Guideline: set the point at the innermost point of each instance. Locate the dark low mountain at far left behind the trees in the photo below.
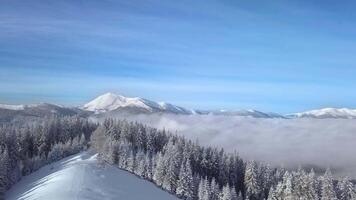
(18, 113)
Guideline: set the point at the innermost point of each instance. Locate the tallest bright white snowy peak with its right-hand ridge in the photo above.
(112, 102)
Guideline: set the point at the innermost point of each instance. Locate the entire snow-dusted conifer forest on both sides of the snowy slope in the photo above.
(174, 163)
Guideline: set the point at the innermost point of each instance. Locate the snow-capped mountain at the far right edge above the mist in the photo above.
(338, 113)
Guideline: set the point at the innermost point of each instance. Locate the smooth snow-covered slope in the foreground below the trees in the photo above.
(81, 177)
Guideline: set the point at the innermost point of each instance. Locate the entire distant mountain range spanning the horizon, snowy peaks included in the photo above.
(111, 103)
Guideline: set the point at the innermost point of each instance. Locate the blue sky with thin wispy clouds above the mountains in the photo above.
(281, 56)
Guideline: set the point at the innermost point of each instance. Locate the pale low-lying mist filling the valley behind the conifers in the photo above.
(288, 142)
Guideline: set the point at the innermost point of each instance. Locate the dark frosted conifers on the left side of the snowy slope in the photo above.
(26, 148)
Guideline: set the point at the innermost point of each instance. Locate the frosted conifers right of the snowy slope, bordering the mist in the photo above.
(194, 172)
